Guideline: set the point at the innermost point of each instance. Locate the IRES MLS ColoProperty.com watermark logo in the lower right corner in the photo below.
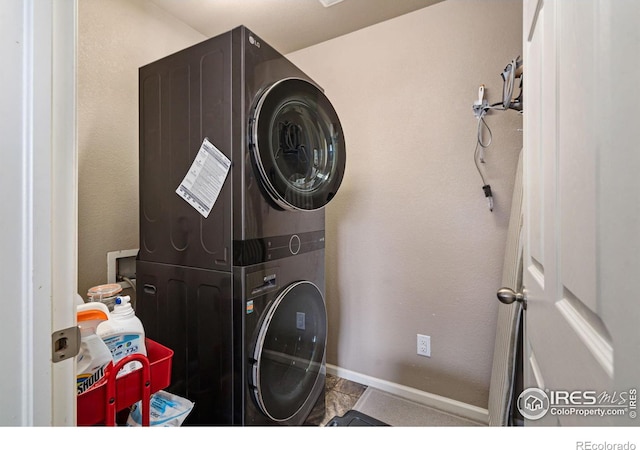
(534, 403)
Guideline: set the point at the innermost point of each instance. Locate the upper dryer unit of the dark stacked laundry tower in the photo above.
(276, 126)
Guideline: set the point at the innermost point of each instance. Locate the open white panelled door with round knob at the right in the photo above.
(582, 212)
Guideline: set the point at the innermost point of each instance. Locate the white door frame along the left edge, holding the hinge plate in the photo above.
(38, 219)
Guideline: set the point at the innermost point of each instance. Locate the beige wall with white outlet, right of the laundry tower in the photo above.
(412, 246)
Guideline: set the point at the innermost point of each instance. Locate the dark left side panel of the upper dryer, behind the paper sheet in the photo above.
(184, 98)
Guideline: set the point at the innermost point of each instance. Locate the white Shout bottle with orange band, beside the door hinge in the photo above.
(94, 359)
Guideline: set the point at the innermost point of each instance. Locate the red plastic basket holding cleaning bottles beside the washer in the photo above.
(98, 404)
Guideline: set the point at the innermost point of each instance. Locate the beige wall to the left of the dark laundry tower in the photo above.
(116, 37)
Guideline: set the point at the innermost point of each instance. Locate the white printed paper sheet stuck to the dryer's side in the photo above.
(203, 183)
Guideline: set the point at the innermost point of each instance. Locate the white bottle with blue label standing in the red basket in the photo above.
(123, 333)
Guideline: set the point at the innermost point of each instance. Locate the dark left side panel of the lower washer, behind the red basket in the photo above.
(190, 311)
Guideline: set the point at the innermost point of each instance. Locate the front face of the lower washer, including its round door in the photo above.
(285, 330)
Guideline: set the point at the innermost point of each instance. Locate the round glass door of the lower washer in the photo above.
(289, 351)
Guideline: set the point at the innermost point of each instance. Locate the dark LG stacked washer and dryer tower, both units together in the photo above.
(238, 295)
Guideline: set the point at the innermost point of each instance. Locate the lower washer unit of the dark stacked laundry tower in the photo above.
(249, 346)
